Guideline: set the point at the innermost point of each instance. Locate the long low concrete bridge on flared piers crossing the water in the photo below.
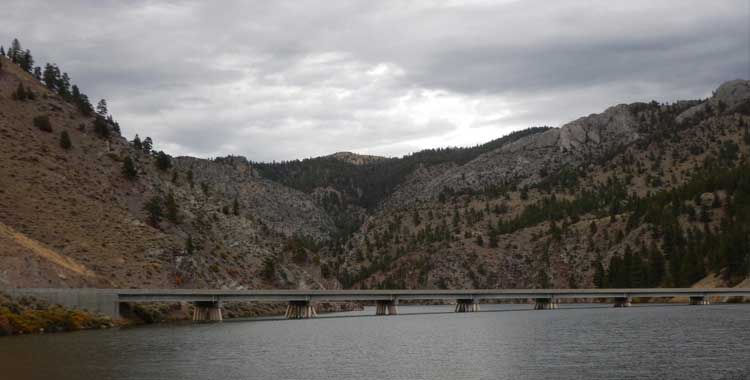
(301, 303)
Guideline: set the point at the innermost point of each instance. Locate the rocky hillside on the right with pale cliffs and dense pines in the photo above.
(644, 194)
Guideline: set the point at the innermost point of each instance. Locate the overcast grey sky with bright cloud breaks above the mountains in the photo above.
(275, 80)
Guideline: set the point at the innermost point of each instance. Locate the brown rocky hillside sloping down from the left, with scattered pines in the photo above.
(73, 217)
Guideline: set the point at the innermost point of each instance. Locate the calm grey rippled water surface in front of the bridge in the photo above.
(501, 342)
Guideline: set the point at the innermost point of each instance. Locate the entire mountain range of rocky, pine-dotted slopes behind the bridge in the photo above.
(642, 194)
